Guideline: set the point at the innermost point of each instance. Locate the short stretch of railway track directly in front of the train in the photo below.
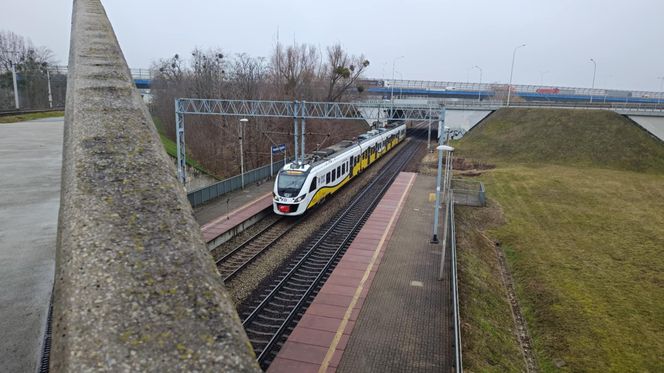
(240, 257)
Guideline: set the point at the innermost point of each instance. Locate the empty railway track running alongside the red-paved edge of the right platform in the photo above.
(284, 301)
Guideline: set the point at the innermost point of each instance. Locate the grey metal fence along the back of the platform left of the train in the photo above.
(203, 195)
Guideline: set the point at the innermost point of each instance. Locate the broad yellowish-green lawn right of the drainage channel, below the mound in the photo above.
(584, 247)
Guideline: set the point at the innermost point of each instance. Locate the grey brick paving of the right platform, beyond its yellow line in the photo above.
(405, 323)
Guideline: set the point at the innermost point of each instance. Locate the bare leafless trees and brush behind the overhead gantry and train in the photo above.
(293, 72)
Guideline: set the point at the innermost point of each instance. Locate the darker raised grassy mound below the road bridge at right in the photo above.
(588, 138)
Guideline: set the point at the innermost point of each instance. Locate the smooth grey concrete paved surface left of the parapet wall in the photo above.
(30, 162)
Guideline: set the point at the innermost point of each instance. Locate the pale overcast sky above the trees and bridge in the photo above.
(440, 40)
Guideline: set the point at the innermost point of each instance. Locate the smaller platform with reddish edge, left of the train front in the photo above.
(232, 213)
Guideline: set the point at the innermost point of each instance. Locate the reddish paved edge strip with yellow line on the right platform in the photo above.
(323, 333)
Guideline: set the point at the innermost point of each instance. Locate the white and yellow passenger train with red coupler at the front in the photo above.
(301, 186)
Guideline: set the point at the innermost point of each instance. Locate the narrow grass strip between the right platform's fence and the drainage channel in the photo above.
(489, 341)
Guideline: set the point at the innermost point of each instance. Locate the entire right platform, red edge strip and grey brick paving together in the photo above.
(382, 309)
